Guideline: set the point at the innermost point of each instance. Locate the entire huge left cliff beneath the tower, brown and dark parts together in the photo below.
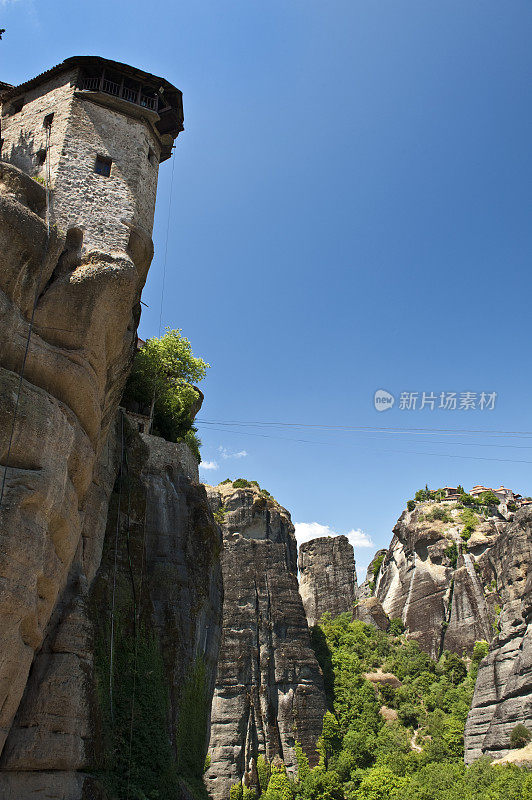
(65, 710)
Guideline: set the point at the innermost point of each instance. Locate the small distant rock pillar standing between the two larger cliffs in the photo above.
(327, 577)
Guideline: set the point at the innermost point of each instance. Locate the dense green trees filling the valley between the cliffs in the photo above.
(393, 738)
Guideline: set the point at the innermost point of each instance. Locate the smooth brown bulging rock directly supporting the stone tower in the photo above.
(77, 362)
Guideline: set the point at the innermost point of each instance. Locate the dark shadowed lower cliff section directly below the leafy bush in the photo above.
(123, 682)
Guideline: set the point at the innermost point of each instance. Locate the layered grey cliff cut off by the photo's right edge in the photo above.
(503, 692)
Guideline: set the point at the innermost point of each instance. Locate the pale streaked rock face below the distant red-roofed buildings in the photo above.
(439, 587)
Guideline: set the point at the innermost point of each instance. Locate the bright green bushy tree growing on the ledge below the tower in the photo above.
(163, 373)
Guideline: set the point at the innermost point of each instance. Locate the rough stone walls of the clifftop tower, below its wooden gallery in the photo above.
(86, 125)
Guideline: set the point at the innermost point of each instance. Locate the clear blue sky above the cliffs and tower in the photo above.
(351, 212)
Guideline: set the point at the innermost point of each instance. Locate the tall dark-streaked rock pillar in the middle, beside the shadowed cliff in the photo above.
(269, 688)
